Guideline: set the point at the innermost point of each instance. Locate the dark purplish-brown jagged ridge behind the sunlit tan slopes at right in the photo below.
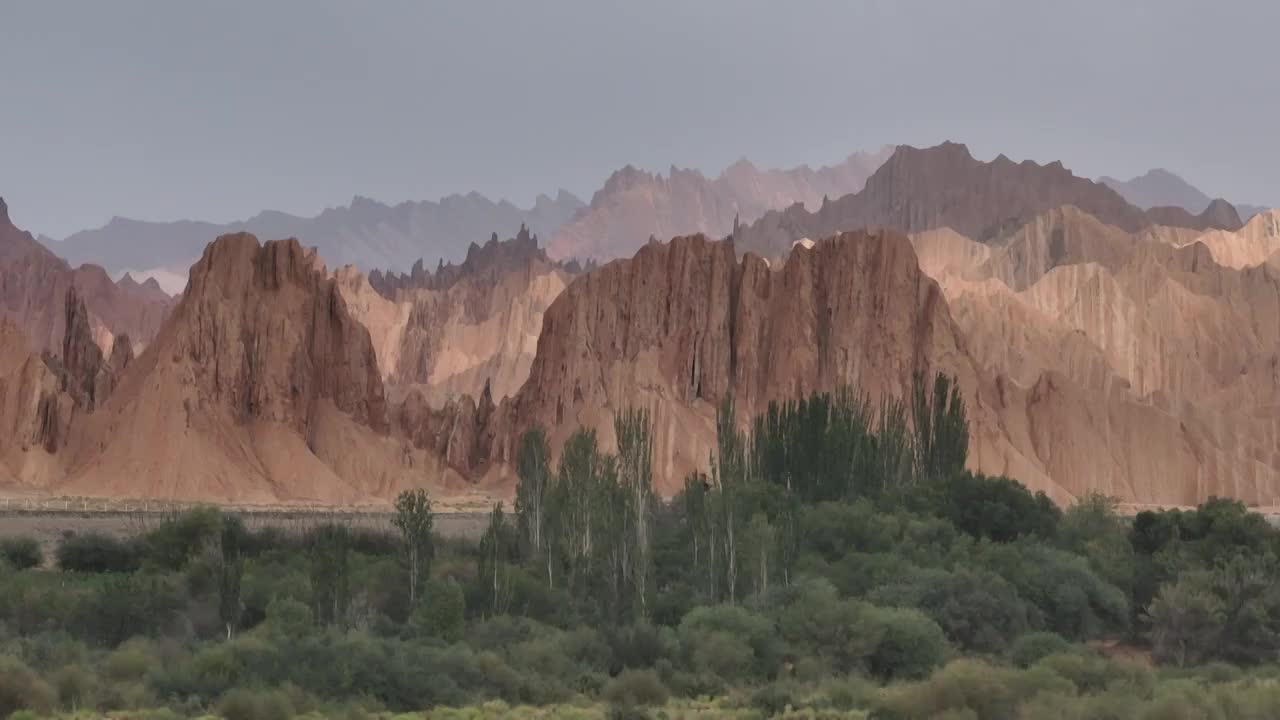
(945, 186)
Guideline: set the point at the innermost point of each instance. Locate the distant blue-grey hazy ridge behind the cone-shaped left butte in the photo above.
(365, 234)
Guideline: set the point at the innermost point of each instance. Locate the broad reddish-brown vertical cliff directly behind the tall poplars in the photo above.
(684, 323)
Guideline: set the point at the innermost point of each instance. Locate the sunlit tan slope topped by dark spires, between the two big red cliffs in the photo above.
(465, 327)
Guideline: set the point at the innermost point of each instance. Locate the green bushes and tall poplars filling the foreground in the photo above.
(836, 562)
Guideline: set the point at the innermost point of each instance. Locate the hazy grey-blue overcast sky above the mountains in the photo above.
(216, 111)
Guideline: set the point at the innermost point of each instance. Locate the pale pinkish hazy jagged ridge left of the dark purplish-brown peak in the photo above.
(636, 206)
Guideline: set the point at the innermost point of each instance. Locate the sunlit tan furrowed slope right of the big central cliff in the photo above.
(1153, 371)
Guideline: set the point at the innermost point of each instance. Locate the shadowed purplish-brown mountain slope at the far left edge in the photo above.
(34, 284)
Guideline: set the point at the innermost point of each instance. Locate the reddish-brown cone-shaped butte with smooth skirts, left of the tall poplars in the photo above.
(260, 388)
